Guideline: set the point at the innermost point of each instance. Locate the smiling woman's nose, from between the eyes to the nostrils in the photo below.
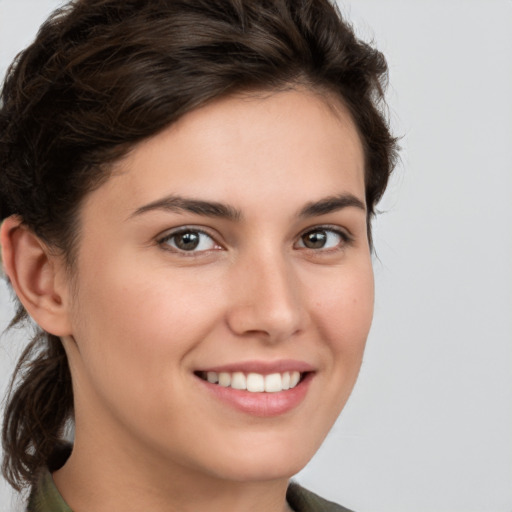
(266, 299)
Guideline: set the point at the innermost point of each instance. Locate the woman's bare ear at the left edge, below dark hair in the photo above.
(37, 276)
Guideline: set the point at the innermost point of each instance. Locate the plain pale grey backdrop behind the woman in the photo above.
(429, 425)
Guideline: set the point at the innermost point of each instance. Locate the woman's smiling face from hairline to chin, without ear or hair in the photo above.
(225, 261)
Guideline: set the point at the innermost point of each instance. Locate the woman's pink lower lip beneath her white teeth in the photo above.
(261, 404)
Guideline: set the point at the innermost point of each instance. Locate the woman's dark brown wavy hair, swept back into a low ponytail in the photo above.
(101, 76)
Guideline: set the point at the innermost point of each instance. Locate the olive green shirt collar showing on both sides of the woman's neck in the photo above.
(46, 498)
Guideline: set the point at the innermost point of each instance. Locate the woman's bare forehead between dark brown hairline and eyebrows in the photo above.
(247, 147)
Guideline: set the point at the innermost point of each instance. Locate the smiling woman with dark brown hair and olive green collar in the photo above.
(187, 190)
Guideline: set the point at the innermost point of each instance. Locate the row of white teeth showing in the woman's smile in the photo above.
(254, 382)
